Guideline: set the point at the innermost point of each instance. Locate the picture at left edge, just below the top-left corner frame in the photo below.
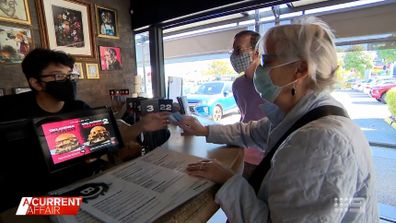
(15, 44)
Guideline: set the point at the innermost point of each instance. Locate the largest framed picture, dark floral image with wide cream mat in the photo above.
(66, 26)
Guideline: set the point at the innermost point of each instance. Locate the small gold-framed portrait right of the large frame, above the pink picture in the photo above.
(106, 22)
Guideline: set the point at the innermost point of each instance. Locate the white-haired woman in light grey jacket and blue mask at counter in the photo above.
(318, 167)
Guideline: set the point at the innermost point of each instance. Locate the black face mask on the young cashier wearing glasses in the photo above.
(63, 91)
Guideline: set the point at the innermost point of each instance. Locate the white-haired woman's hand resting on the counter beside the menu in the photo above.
(211, 170)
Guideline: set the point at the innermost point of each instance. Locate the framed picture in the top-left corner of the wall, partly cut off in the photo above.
(15, 11)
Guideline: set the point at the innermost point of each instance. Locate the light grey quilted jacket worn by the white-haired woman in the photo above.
(322, 172)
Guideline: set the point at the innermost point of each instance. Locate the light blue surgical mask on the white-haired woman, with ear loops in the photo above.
(263, 83)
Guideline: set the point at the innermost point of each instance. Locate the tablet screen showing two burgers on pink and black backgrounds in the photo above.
(65, 138)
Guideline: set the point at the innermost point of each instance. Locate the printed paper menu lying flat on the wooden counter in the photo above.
(141, 190)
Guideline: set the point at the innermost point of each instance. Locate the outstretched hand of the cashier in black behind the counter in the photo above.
(154, 121)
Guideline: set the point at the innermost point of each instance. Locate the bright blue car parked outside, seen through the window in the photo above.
(213, 100)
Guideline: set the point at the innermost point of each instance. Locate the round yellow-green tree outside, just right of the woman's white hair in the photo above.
(358, 60)
